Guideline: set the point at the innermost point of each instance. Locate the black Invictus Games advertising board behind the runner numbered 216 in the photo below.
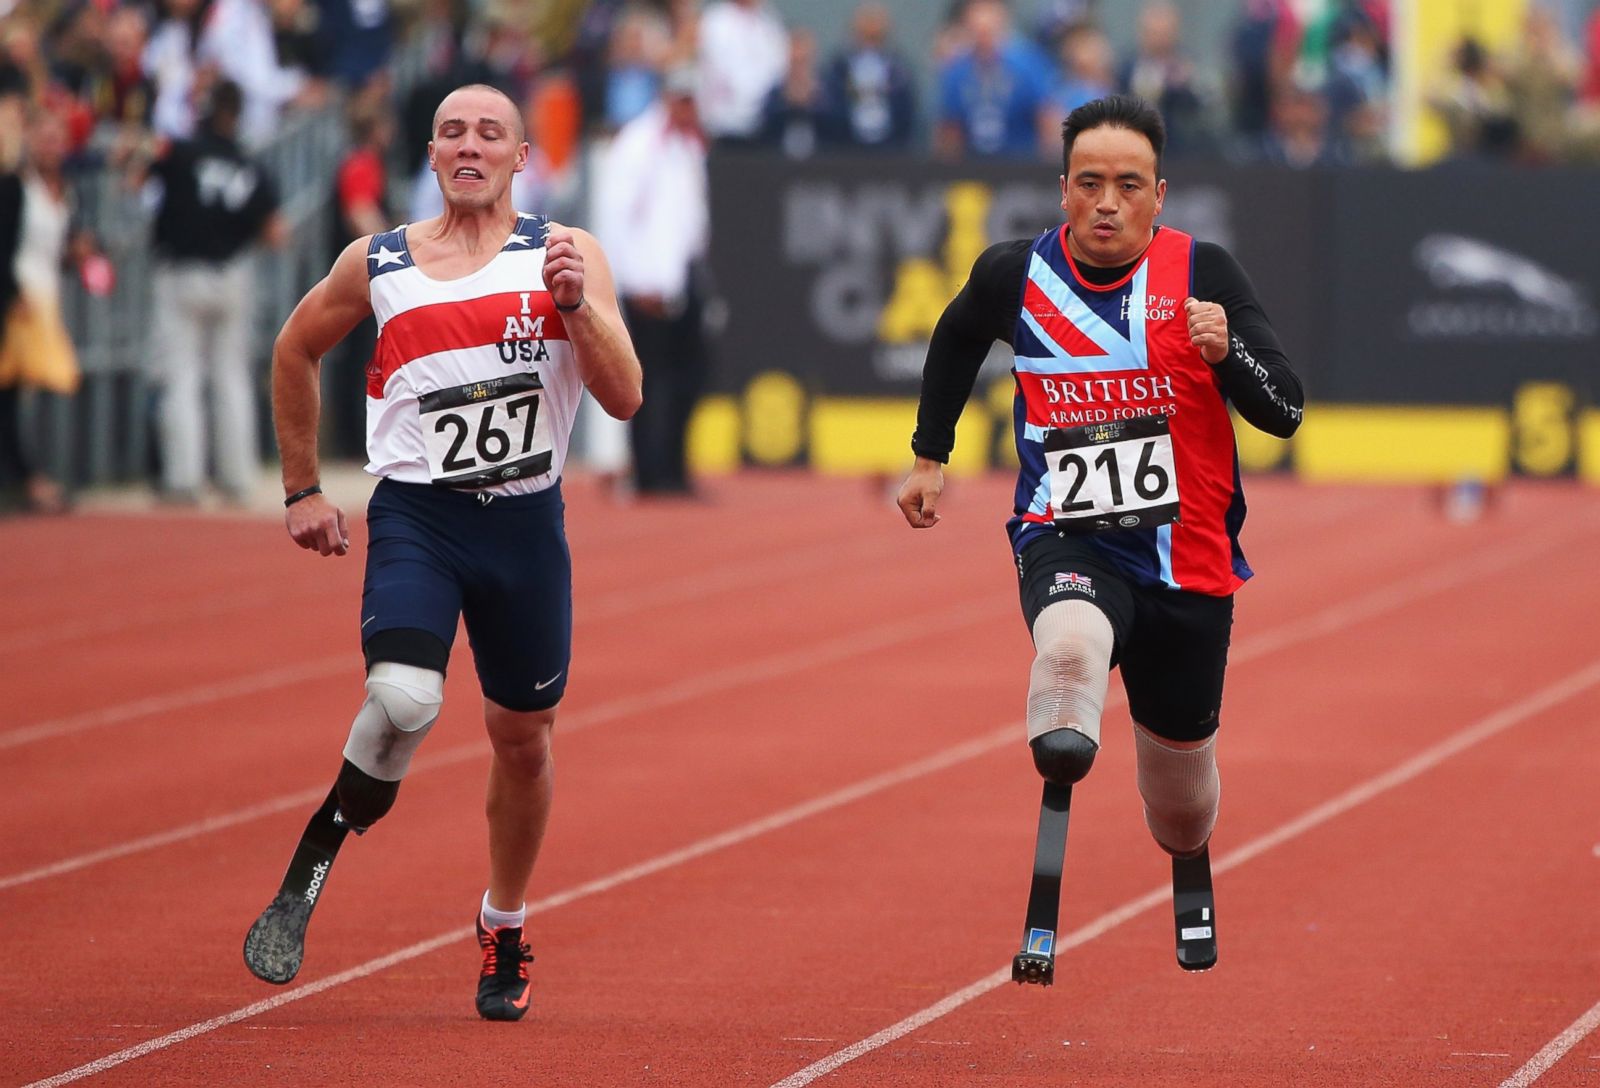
(836, 270)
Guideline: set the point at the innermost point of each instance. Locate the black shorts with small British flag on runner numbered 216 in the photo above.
(1170, 644)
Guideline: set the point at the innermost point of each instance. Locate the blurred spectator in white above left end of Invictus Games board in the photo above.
(743, 54)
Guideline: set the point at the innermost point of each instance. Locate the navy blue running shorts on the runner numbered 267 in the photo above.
(438, 556)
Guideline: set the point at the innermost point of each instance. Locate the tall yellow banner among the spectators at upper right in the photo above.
(1426, 34)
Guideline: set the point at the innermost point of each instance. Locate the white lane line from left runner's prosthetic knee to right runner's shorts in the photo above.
(775, 666)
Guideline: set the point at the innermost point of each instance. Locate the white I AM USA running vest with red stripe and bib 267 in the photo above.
(474, 383)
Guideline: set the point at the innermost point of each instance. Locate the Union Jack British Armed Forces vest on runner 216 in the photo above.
(1090, 358)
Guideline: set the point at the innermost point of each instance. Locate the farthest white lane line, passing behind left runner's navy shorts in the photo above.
(606, 607)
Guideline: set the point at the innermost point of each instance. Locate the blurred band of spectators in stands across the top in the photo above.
(1305, 81)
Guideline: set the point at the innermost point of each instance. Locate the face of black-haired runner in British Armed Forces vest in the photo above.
(1111, 196)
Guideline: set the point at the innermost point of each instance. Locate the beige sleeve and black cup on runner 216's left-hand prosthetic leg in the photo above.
(1066, 692)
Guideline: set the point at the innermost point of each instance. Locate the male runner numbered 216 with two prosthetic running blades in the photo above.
(1132, 342)
